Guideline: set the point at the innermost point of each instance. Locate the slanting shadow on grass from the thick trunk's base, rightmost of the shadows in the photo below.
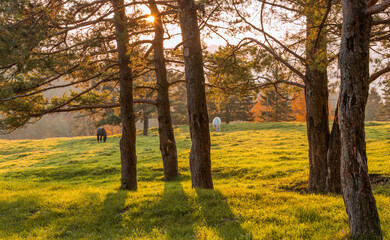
(219, 216)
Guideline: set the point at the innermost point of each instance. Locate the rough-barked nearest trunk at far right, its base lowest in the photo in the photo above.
(354, 64)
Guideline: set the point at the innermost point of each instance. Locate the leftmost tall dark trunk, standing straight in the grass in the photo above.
(127, 142)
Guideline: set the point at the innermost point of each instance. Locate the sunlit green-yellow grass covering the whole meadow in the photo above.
(68, 188)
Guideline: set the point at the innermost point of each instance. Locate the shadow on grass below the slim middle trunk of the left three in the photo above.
(173, 214)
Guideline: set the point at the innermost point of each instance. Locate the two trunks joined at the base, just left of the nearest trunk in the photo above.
(324, 159)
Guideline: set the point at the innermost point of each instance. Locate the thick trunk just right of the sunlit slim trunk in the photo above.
(200, 162)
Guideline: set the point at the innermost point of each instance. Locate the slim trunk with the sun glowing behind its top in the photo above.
(165, 129)
